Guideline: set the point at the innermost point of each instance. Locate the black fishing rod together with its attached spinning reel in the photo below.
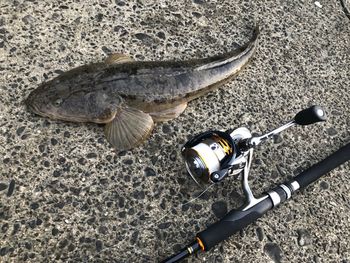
(211, 156)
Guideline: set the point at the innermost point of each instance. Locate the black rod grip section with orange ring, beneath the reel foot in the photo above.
(233, 222)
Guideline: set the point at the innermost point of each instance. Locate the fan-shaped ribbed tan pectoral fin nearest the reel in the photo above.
(129, 128)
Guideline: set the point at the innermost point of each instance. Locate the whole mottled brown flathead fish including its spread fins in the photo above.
(130, 96)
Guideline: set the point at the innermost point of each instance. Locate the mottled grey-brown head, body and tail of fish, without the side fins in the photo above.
(148, 86)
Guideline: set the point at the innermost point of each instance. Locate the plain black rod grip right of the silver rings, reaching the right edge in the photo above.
(317, 170)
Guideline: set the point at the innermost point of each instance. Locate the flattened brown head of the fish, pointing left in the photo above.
(76, 102)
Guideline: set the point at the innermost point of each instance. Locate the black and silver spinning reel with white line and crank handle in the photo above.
(213, 155)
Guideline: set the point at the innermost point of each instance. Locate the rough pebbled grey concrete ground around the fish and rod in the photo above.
(66, 196)
